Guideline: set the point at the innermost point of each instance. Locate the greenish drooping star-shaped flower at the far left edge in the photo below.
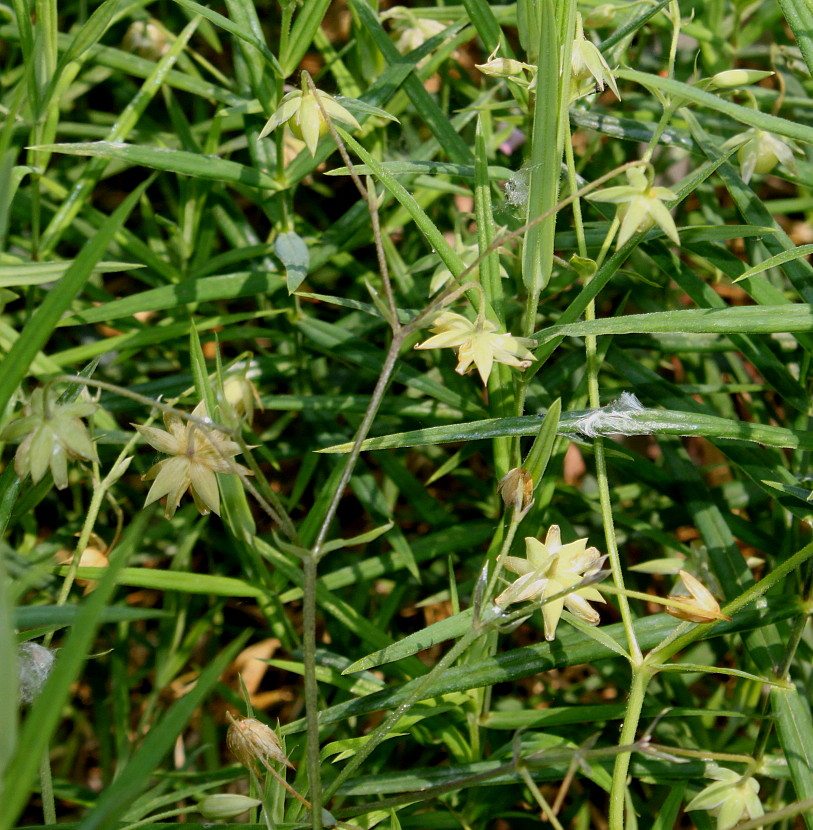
(54, 433)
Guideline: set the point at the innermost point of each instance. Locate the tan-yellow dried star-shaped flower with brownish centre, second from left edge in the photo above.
(197, 454)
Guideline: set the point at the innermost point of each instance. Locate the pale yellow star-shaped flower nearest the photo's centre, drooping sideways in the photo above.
(479, 343)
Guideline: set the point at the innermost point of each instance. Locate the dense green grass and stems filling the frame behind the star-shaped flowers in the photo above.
(152, 243)
